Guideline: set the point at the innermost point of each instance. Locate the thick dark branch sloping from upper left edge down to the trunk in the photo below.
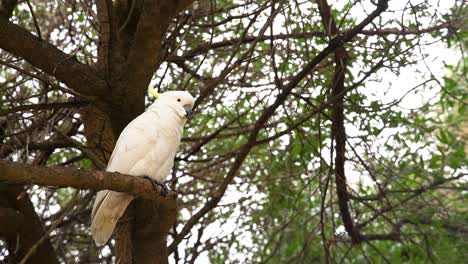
(45, 56)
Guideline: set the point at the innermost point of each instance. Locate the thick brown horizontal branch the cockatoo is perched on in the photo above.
(18, 173)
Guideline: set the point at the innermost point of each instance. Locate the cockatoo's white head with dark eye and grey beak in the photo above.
(179, 101)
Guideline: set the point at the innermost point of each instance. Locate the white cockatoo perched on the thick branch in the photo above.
(146, 147)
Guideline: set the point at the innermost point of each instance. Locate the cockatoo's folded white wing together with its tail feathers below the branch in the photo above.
(135, 141)
